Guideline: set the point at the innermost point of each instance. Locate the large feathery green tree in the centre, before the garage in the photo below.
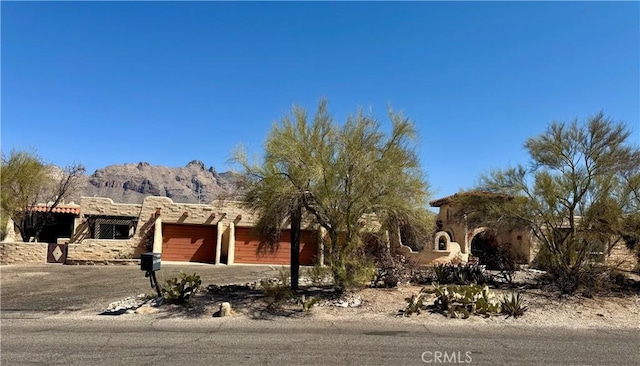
(337, 177)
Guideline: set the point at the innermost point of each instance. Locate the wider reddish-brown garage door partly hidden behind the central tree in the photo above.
(246, 248)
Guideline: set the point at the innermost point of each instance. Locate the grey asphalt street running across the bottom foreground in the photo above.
(230, 341)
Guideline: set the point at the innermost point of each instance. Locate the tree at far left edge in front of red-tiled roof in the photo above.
(27, 181)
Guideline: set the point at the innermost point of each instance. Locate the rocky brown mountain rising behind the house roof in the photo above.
(131, 183)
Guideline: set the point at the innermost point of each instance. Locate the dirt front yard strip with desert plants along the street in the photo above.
(544, 309)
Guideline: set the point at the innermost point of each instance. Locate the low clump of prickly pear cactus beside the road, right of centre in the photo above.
(463, 300)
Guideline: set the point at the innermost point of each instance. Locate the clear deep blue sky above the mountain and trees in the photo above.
(169, 82)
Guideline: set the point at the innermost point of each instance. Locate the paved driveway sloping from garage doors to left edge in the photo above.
(56, 288)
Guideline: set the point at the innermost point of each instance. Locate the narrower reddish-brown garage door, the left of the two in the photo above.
(189, 243)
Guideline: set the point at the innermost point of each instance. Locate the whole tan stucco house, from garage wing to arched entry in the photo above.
(221, 232)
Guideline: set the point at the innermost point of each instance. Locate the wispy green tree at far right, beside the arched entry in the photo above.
(578, 195)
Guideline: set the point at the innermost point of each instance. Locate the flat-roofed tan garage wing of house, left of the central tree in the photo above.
(216, 233)
